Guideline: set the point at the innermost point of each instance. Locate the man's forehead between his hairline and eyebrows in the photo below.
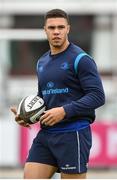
(56, 21)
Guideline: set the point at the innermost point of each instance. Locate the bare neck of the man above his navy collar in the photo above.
(56, 50)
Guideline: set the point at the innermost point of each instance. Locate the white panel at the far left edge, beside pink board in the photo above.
(9, 143)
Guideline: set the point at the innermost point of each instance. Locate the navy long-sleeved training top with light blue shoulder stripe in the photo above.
(72, 81)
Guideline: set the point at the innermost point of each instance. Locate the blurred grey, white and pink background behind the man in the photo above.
(22, 42)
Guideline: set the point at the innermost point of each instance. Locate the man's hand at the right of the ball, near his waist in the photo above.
(52, 116)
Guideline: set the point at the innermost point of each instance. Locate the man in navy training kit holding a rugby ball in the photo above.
(70, 85)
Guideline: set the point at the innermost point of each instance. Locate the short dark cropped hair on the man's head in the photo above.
(56, 13)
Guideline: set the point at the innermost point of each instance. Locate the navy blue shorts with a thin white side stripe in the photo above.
(68, 151)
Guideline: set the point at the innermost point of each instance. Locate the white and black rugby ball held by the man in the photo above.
(31, 108)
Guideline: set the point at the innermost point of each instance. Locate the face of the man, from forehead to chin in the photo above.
(57, 30)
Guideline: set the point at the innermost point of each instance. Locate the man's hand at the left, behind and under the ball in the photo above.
(18, 119)
